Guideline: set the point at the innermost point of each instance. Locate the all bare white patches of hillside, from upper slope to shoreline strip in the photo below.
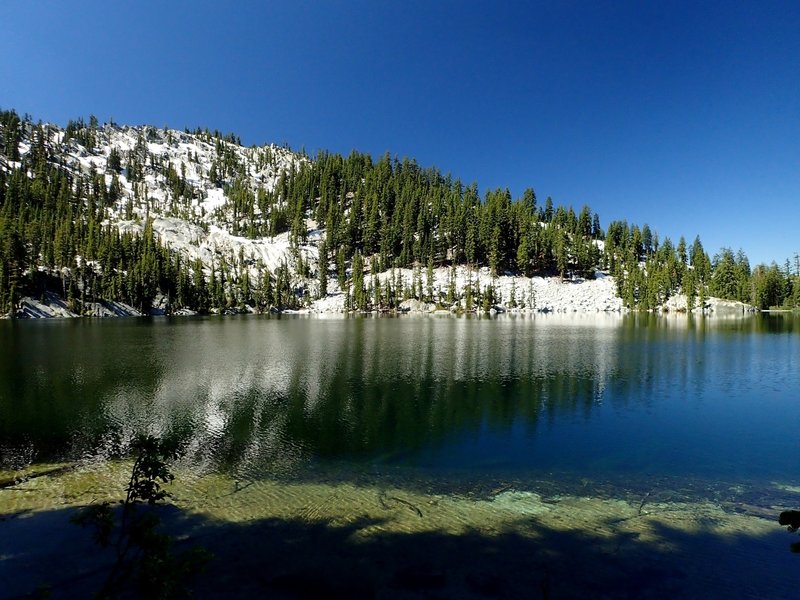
(223, 209)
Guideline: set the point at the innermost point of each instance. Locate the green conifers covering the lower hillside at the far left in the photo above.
(52, 238)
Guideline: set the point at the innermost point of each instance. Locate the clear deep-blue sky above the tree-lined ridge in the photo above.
(682, 115)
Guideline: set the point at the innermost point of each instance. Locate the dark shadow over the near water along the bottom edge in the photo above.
(298, 559)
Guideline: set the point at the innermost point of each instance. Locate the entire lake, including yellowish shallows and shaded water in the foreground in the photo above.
(600, 455)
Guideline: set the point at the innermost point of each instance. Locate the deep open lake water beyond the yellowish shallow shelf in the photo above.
(591, 396)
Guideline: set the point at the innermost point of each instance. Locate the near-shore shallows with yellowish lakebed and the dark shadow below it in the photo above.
(398, 533)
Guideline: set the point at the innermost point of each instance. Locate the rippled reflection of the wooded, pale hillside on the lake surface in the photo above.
(270, 391)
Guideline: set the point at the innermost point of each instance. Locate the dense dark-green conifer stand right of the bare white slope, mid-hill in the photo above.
(404, 216)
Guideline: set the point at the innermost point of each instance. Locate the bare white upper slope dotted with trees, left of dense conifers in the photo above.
(200, 227)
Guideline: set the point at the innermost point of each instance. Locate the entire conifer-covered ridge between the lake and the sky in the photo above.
(83, 211)
